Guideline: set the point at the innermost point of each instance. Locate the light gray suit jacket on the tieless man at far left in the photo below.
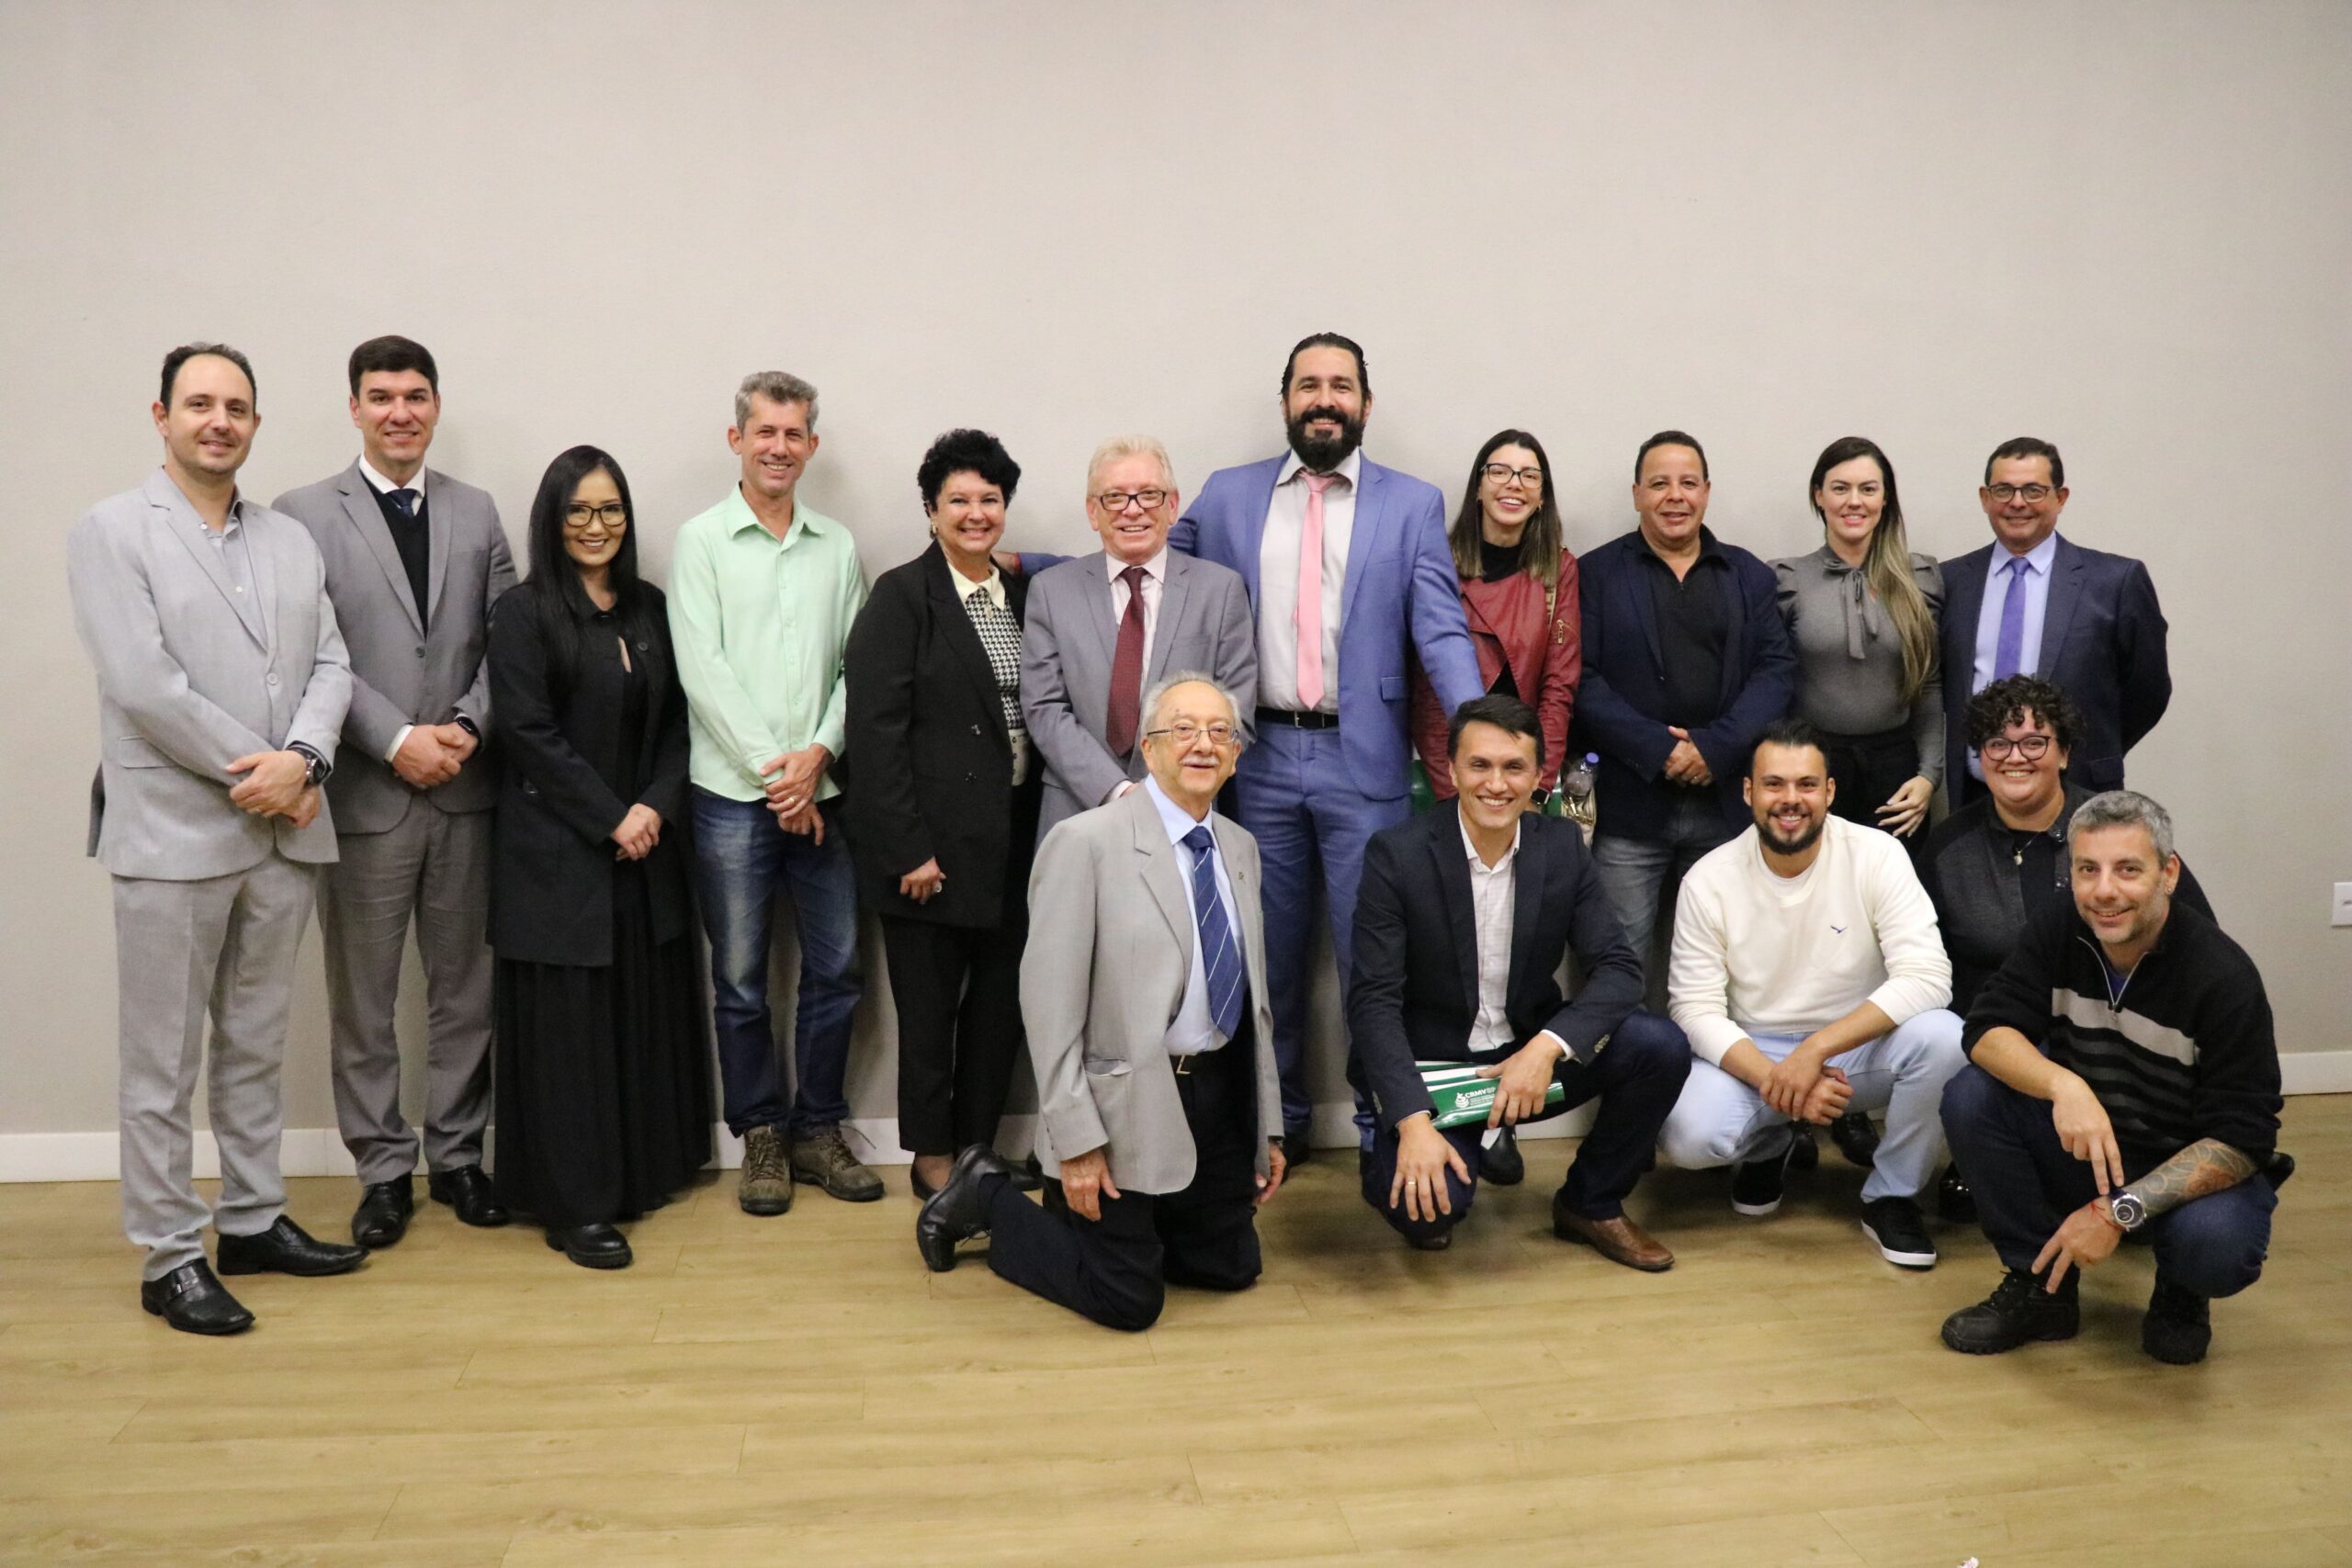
(194, 676)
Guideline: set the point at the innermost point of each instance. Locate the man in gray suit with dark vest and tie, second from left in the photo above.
(415, 561)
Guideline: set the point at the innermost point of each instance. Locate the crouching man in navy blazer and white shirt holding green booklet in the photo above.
(1459, 932)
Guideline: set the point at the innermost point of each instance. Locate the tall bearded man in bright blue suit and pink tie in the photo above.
(1349, 572)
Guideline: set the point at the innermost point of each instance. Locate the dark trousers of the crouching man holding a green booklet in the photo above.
(1636, 1078)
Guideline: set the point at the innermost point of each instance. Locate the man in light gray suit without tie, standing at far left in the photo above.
(222, 688)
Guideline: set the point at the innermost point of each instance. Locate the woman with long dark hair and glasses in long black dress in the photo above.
(603, 1059)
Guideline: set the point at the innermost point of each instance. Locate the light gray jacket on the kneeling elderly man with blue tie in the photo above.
(1104, 972)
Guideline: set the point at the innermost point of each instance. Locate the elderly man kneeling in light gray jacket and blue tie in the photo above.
(1154, 1043)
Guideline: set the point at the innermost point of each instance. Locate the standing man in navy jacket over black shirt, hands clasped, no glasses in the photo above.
(1688, 662)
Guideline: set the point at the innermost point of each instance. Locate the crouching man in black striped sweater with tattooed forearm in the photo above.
(2123, 1083)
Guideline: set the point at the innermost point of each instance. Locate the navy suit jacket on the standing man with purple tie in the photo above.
(2102, 645)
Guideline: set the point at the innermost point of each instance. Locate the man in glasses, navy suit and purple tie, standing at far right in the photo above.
(2036, 603)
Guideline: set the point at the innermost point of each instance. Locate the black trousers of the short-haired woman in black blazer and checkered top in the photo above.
(958, 993)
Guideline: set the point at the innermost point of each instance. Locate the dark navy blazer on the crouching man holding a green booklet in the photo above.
(1415, 991)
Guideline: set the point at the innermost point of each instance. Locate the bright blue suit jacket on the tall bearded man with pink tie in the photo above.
(1401, 594)
